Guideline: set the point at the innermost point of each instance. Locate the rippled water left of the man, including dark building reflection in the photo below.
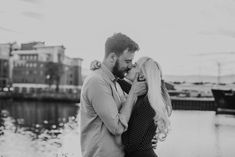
(37, 129)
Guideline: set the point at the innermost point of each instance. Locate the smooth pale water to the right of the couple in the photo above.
(199, 134)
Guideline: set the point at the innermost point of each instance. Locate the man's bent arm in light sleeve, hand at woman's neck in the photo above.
(100, 96)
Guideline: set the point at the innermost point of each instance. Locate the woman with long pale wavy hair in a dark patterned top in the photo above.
(151, 113)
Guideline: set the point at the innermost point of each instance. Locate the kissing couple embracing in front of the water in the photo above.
(123, 105)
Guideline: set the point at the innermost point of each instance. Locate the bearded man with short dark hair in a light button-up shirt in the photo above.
(105, 110)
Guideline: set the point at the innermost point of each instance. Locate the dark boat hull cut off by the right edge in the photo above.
(225, 101)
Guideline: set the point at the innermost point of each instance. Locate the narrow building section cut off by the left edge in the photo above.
(5, 66)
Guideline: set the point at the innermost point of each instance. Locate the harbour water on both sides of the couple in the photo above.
(52, 130)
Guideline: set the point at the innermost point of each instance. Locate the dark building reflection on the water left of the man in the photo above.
(38, 115)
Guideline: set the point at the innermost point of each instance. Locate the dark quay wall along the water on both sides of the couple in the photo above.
(178, 103)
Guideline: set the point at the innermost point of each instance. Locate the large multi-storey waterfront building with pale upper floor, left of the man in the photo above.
(33, 68)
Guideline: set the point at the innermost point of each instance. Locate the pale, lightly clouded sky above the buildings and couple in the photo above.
(185, 36)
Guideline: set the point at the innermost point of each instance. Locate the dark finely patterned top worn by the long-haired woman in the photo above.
(137, 139)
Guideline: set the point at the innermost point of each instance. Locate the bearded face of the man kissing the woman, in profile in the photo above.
(123, 64)
